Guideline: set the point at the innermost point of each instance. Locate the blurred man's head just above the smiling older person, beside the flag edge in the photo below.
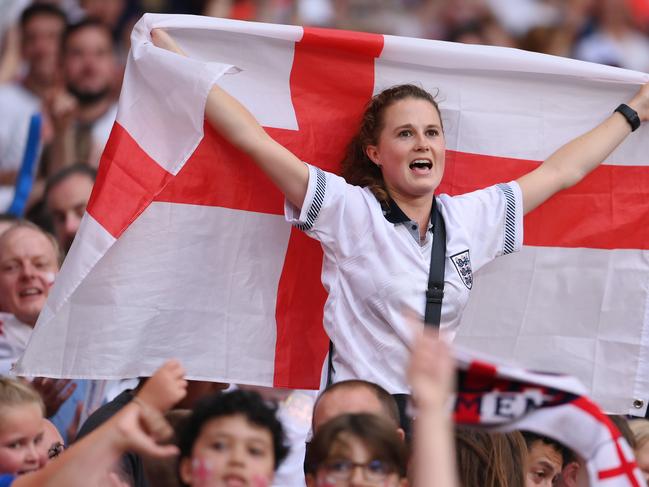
(66, 195)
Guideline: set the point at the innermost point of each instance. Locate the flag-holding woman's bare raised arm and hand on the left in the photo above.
(236, 124)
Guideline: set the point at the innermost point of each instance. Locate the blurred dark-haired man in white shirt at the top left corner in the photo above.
(41, 27)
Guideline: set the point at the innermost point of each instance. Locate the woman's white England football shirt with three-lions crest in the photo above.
(375, 267)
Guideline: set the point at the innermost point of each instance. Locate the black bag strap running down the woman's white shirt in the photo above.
(435, 291)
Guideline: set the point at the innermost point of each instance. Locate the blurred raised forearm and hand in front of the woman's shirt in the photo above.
(431, 376)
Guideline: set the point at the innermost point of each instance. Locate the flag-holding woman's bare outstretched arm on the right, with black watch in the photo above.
(572, 162)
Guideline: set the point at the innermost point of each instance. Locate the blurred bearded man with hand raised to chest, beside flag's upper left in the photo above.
(84, 114)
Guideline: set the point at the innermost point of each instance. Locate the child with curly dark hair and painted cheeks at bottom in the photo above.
(231, 437)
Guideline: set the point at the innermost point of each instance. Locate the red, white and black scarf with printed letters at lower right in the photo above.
(507, 398)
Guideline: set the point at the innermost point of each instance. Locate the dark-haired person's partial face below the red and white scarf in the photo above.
(545, 460)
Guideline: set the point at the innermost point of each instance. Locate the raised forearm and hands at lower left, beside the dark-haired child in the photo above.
(138, 427)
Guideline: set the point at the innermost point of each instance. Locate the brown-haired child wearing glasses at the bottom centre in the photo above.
(357, 449)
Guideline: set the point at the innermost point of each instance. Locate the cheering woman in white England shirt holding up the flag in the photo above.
(375, 223)
